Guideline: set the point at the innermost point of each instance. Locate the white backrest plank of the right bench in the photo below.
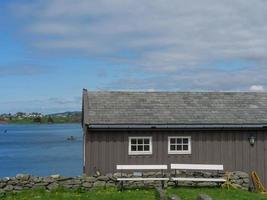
(196, 167)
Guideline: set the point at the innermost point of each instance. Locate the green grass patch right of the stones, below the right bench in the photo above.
(216, 193)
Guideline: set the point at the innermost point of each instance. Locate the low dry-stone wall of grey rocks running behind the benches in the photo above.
(24, 181)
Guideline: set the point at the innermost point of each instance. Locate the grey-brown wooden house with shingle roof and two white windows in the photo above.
(175, 127)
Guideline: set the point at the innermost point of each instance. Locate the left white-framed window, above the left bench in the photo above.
(140, 145)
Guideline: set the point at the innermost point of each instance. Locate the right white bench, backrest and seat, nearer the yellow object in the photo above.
(197, 167)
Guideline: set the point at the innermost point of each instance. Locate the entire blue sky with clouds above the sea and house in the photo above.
(50, 50)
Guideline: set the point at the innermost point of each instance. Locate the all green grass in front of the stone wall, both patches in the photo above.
(114, 194)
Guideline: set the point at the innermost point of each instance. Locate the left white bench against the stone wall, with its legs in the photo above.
(142, 168)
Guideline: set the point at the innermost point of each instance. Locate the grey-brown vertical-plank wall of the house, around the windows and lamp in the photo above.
(107, 148)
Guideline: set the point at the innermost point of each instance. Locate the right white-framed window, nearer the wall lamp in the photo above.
(179, 145)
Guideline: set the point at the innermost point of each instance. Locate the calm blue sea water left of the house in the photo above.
(40, 149)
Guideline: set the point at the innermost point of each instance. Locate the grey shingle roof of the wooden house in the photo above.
(175, 108)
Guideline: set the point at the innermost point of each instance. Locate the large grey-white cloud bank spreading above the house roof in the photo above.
(175, 43)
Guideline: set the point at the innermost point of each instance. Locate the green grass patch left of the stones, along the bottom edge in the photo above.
(107, 194)
